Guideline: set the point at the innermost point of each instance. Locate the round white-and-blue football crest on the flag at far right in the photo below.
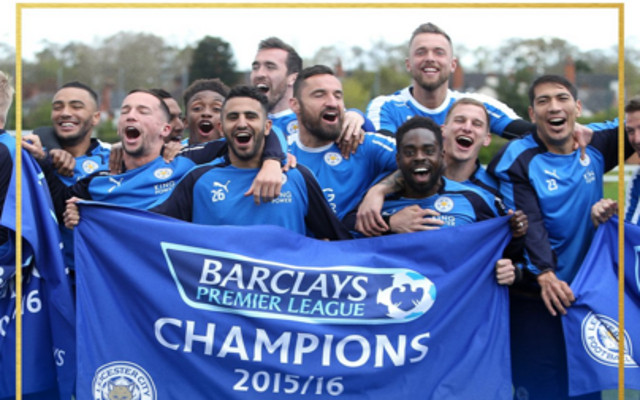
(600, 341)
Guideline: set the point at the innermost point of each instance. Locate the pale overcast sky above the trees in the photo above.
(310, 27)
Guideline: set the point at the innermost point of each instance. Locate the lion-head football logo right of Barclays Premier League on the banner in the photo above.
(409, 296)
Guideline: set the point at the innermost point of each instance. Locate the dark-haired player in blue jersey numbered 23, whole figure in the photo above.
(555, 186)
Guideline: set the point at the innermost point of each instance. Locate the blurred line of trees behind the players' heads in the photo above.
(127, 60)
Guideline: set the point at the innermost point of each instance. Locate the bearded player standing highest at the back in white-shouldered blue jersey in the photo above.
(431, 63)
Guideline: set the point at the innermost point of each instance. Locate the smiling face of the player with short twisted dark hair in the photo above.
(420, 159)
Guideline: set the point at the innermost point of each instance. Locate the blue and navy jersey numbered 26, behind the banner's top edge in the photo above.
(215, 195)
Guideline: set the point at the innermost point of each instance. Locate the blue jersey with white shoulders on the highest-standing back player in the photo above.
(389, 112)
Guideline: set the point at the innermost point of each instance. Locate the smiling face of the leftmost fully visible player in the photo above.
(74, 114)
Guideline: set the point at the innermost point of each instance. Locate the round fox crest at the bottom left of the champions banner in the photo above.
(123, 380)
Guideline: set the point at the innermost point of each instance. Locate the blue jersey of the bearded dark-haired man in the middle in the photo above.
(345, 182)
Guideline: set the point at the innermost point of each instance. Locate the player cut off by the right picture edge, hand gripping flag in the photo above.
(605, 208)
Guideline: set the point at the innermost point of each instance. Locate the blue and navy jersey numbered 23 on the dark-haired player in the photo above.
(556, 192)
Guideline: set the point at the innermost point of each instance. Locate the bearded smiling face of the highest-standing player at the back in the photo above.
(430, 61)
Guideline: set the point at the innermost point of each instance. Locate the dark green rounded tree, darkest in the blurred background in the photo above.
(213, 58)
